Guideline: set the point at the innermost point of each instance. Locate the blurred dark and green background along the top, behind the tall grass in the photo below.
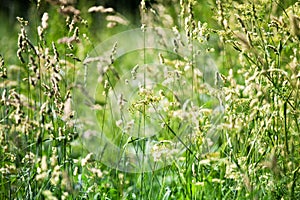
(165, 14)
